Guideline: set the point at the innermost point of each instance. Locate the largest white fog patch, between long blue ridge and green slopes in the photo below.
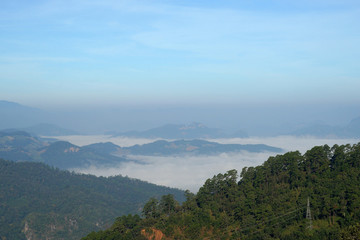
(186, 172)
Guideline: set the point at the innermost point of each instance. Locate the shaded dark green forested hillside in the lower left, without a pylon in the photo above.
(41, 202)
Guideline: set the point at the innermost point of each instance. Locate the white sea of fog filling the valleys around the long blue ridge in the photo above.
(192, 171)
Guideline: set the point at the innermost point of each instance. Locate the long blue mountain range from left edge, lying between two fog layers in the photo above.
(22, 146)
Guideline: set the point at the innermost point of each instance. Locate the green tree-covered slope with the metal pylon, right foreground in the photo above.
(269, 202)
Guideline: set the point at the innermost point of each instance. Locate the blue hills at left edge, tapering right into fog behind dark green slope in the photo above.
(21, 146)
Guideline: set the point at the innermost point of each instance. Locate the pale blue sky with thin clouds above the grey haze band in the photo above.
(105, 52)
